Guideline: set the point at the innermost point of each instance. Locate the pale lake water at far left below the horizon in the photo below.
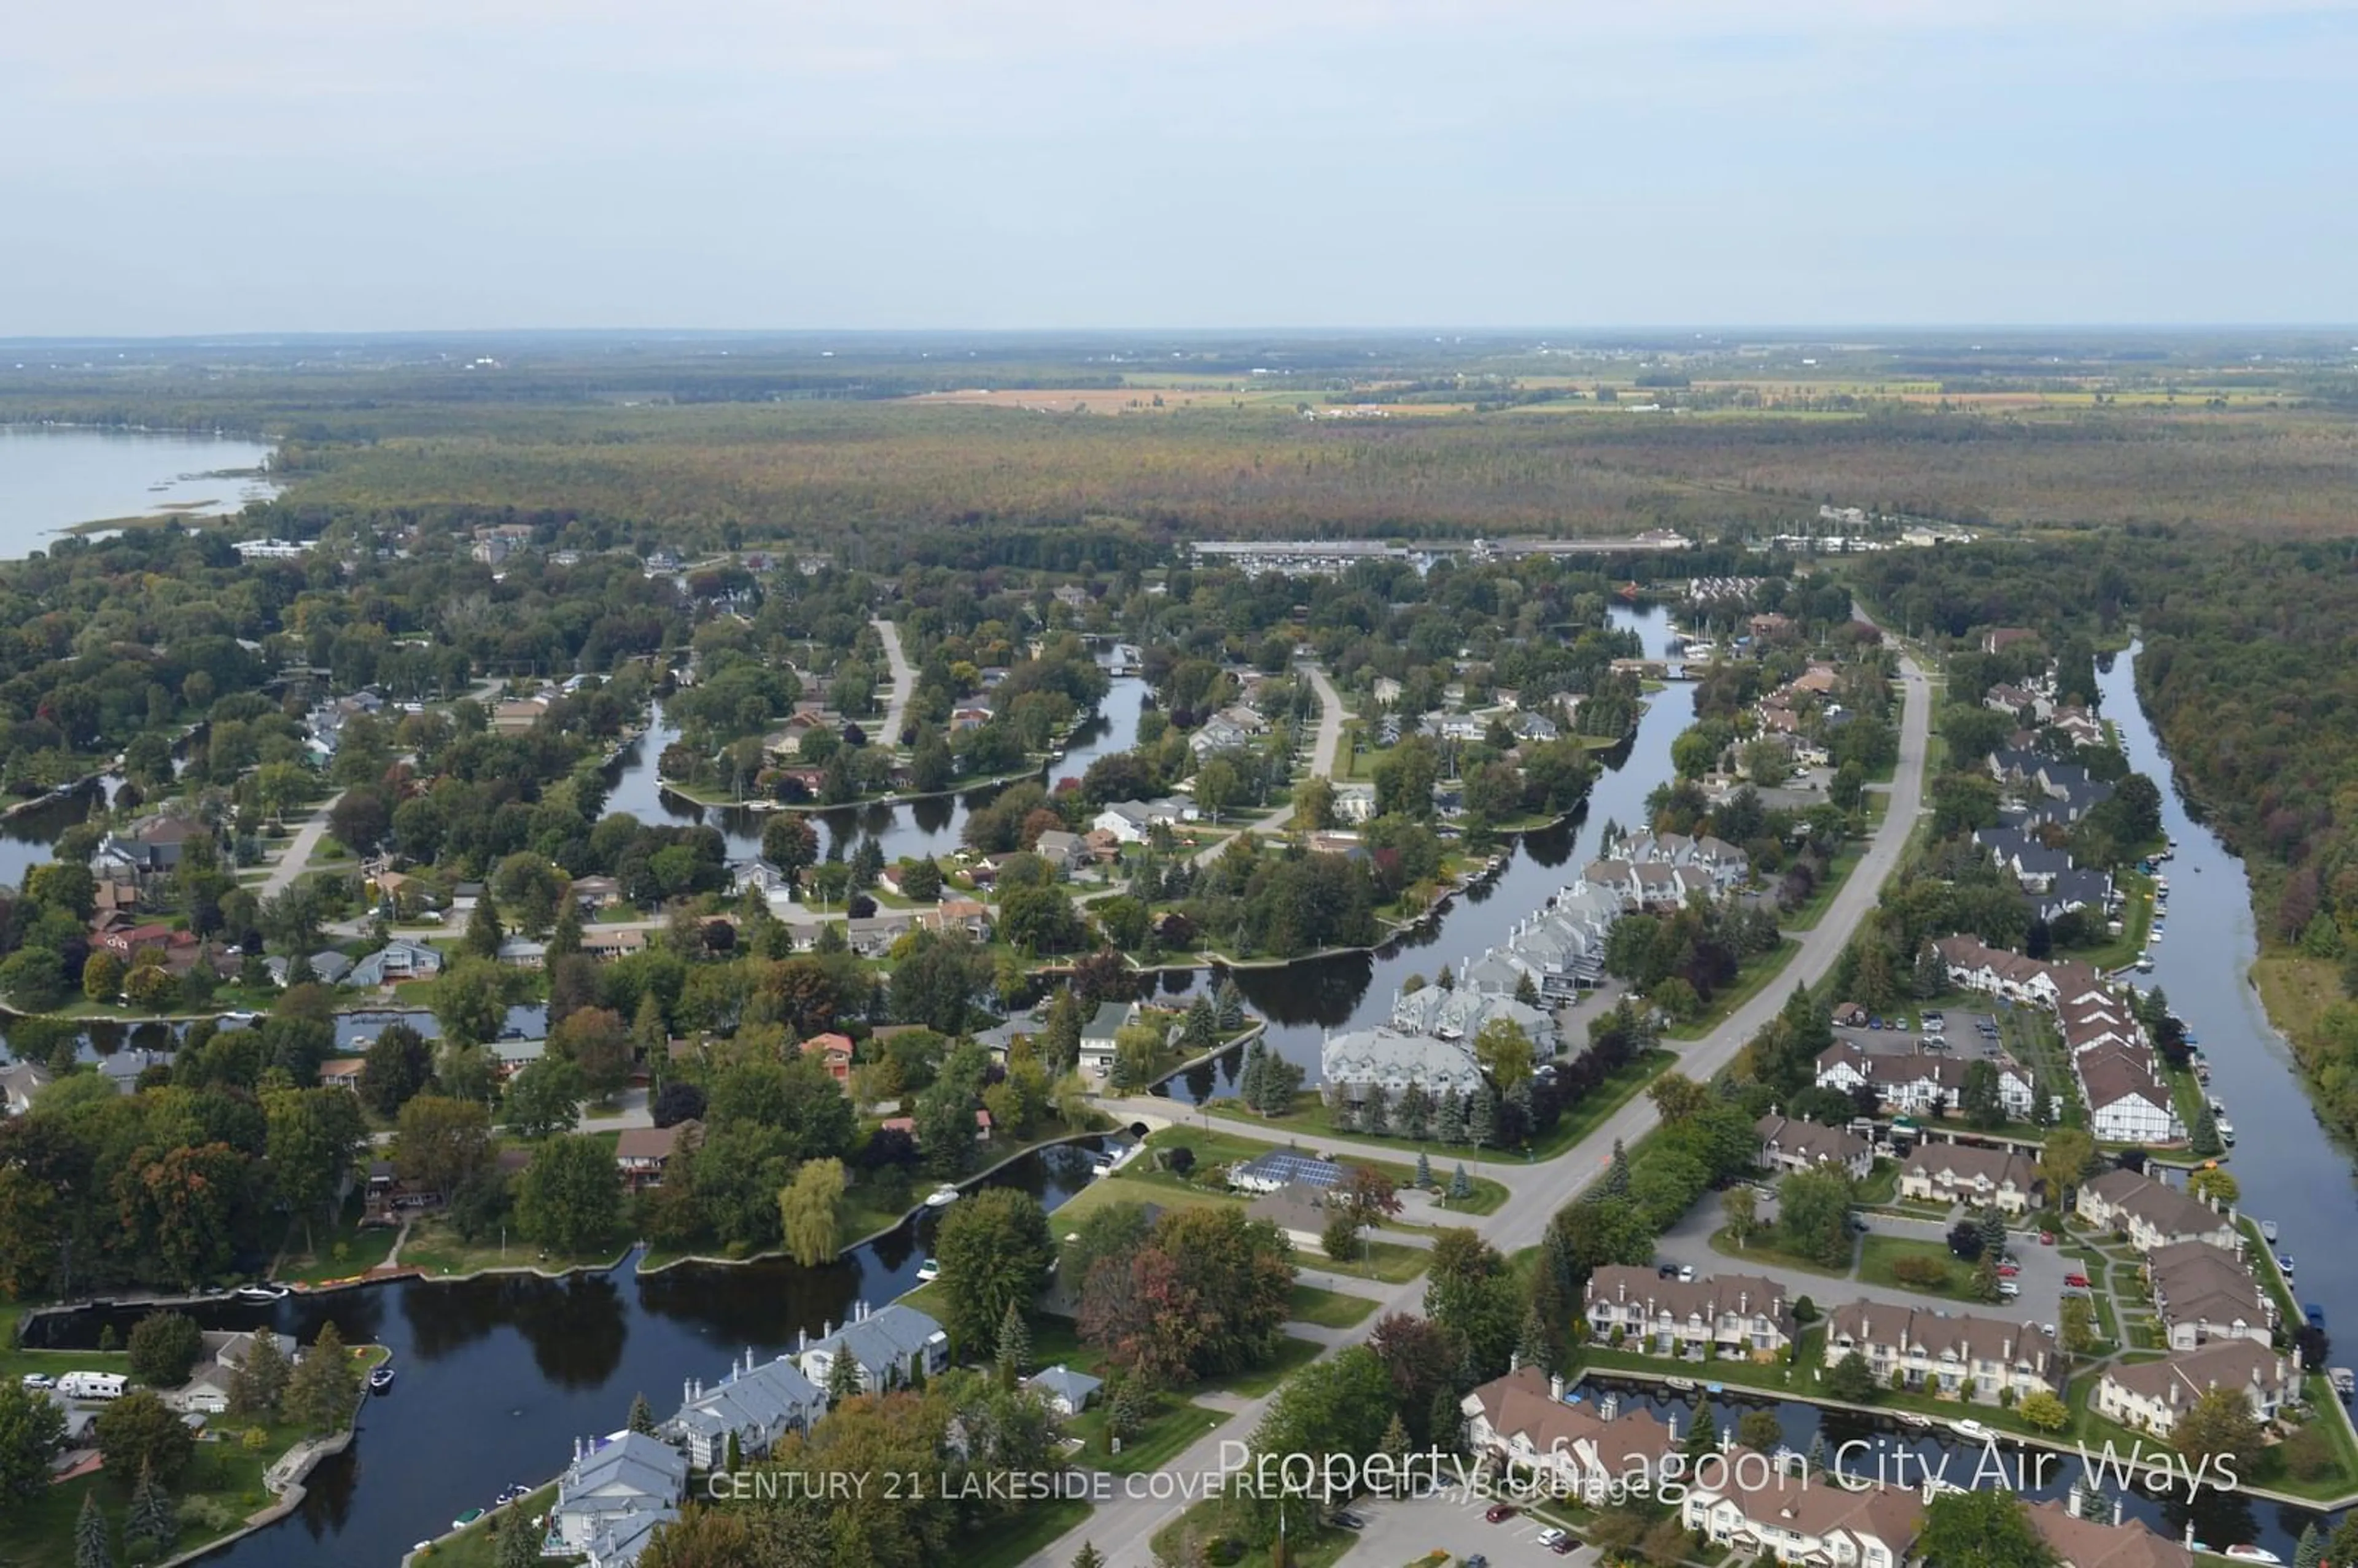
(55, 477)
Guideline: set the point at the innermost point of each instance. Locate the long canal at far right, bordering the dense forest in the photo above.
(2288, 1166)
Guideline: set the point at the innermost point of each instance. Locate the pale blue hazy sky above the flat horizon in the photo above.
(345, 166)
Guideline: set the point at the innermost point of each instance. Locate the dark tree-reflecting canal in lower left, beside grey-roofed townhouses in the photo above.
(499, 1376)
